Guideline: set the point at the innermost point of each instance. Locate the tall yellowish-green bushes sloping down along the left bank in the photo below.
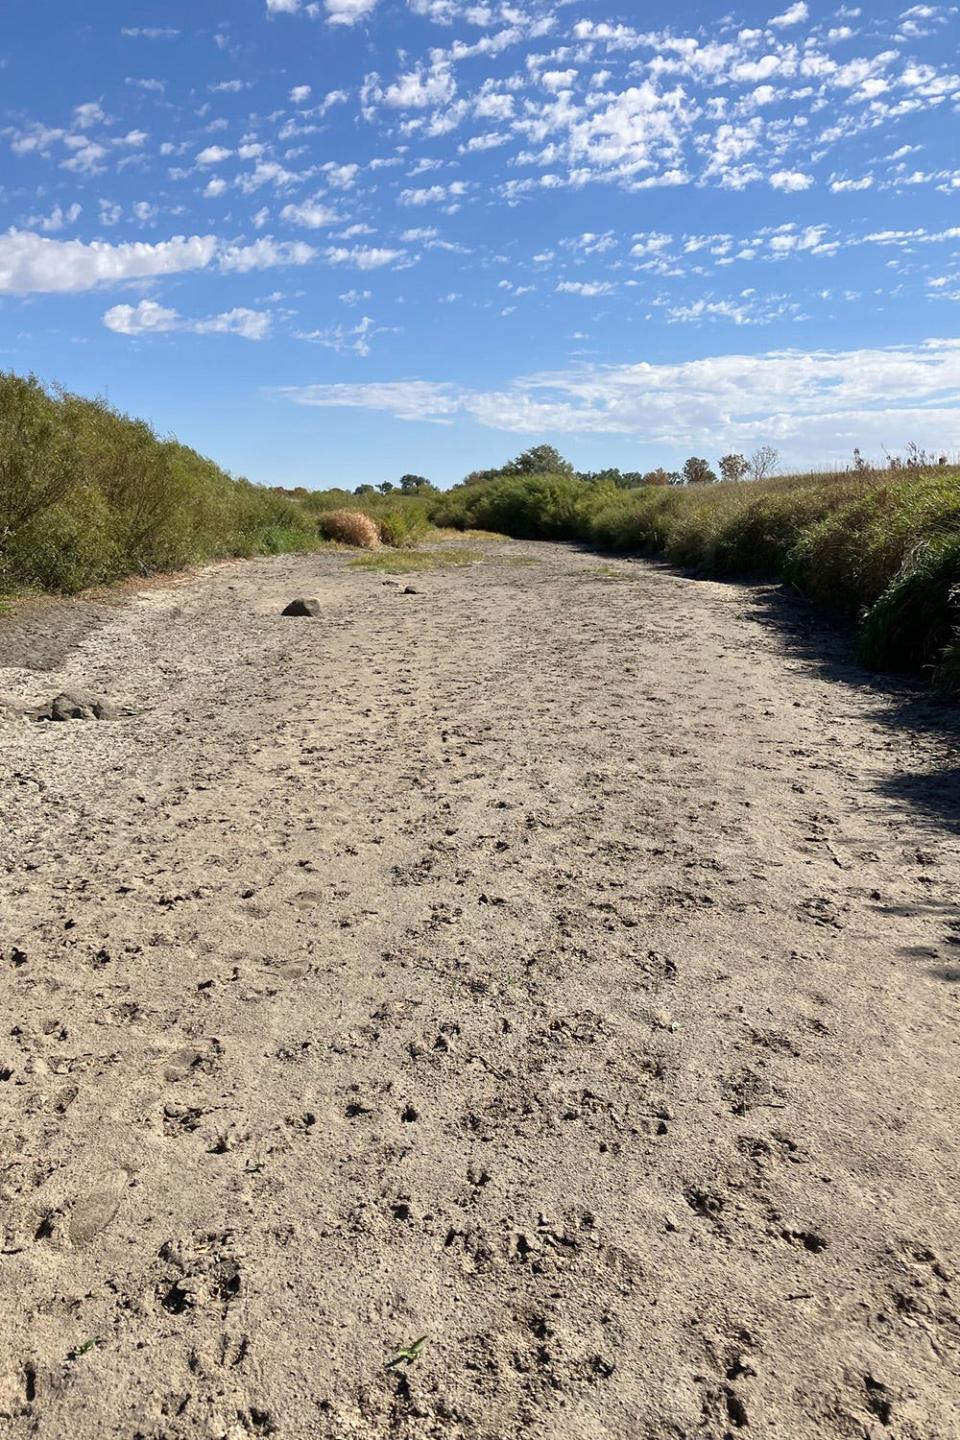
(89, 496)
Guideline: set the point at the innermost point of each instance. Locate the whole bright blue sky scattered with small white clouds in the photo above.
(330, 243)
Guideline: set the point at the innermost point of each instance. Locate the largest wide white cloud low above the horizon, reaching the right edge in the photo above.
(807, 402)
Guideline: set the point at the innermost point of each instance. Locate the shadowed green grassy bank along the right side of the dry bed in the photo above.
(880, 548)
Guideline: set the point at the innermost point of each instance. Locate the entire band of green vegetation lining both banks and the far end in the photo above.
(90, 496)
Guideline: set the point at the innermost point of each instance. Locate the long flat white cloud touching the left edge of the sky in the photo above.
(34, 264)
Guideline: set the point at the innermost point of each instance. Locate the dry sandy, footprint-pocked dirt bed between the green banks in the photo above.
(559, 967)
